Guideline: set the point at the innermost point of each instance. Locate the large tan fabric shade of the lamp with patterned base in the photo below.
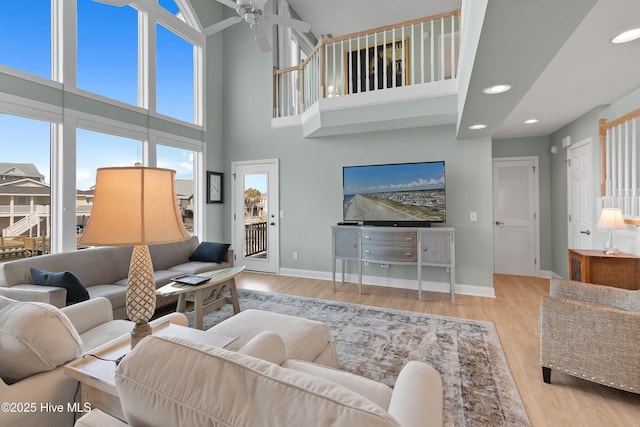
(134, 206)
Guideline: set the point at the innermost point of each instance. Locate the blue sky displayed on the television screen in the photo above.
(394, 177)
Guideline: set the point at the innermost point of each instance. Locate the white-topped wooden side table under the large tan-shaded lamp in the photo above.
(97, 377)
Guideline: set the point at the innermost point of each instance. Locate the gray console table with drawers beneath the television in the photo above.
(430, 246)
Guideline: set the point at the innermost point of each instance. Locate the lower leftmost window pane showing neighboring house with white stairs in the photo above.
(25, 194)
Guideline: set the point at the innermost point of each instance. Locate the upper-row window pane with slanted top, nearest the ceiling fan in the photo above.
(174, 59)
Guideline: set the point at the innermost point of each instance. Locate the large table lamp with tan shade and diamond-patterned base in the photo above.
(136, 206)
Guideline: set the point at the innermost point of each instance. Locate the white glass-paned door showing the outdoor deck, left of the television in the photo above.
(255, 214)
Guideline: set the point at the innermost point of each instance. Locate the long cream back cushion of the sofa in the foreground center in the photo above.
(213, 386)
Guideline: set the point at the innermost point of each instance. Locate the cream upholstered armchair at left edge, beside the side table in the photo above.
(36, 340)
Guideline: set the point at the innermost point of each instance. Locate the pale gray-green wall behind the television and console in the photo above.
(311, 170)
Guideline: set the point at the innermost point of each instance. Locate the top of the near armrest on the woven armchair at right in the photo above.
(595, 294)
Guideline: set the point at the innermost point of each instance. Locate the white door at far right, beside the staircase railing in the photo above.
(580, 204)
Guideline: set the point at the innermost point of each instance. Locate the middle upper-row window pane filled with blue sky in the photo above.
(108, 50)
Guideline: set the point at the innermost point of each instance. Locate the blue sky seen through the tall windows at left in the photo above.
(107, 65)
